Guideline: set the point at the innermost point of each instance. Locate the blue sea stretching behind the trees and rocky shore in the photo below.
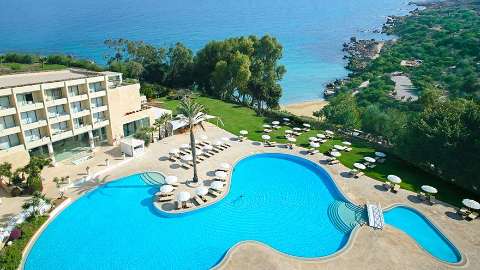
(312, 32)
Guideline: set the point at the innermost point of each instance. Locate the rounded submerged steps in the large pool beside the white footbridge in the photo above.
(346, 216)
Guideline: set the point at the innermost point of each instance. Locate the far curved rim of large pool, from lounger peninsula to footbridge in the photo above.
(173, 214)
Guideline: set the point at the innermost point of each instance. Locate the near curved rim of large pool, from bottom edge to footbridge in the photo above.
(348, 245)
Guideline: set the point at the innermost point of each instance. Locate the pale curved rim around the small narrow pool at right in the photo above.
(463, 258)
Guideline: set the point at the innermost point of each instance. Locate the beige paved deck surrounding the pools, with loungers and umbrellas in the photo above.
(369, 249)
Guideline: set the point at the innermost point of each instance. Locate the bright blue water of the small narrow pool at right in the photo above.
(423, 232)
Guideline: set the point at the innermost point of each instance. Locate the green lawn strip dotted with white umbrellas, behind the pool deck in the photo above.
(236, 118)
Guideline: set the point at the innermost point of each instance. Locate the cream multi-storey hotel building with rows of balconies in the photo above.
(67, 112)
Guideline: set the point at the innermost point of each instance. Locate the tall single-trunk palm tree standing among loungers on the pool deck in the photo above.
(194, 113)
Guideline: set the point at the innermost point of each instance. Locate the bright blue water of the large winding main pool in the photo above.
(283, 201)
